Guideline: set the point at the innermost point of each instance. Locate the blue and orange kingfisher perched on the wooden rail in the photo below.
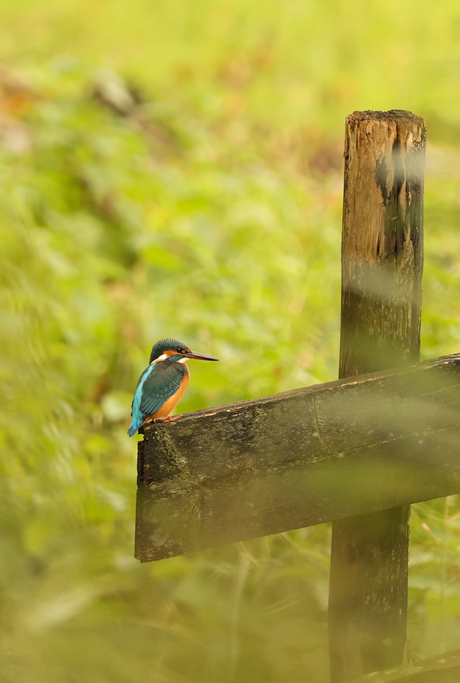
(163, 382)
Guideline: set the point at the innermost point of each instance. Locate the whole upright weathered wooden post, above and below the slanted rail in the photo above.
(382, 260)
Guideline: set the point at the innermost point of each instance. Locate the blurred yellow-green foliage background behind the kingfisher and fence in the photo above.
(171, 168)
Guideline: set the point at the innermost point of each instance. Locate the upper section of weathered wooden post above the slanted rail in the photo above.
(382, 241)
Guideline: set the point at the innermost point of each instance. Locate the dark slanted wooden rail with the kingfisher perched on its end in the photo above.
(296, 459)
